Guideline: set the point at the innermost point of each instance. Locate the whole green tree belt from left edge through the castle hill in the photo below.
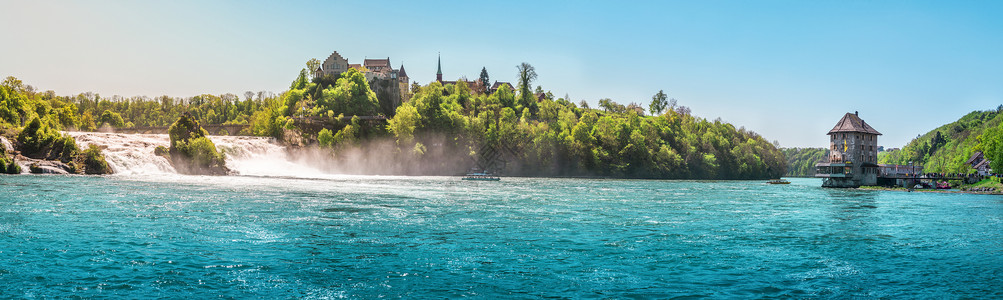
(441, 130)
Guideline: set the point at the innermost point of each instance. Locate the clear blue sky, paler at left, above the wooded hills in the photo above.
(786, 70)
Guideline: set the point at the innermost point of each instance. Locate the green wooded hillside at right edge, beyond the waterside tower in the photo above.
(946, 149)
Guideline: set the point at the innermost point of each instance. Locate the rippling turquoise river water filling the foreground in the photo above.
(370, 237)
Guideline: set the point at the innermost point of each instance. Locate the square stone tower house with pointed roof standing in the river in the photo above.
(853, 160)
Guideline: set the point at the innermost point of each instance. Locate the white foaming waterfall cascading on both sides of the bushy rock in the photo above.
(249, 156)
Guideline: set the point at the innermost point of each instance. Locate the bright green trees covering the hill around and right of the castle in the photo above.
(537, 137)
